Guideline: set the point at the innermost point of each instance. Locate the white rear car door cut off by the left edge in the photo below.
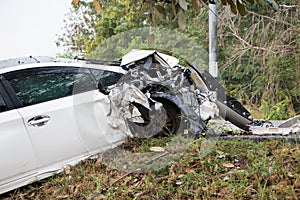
(16, 152)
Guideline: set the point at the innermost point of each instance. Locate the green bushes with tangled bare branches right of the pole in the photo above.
(262, 61)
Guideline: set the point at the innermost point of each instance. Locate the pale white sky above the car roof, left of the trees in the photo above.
(30, 27)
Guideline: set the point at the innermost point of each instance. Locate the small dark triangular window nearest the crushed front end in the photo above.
(107, 78)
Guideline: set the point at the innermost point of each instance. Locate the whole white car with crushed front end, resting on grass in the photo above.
(56, 112)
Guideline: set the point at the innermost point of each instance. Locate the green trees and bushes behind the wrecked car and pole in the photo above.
(258, 53)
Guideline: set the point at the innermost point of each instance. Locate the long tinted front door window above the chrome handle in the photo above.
(33, 86)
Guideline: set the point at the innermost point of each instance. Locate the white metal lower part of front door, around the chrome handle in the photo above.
(57, 139)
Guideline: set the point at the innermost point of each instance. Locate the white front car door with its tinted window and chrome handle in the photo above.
(45, 94)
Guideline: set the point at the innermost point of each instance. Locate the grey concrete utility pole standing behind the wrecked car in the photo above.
(213, 64)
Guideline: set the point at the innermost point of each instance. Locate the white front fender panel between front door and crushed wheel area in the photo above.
(98, 125)
